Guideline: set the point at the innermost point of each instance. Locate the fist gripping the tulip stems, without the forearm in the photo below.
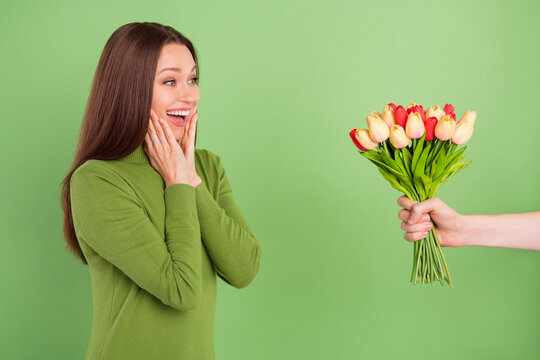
(416, 220)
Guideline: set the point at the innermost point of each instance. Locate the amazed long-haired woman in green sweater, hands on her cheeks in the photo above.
(153, 218)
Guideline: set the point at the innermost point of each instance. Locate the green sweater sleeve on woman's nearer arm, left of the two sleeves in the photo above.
(109, 218)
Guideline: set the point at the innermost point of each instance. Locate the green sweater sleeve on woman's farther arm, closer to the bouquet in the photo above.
(228, 238)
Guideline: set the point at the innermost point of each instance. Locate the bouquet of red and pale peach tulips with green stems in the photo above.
(416, 151)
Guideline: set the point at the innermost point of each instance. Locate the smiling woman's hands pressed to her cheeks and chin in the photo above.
(175, 164)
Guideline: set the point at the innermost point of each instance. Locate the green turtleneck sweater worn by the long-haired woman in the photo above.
(153, 254)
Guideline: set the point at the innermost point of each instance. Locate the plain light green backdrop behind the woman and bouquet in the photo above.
(282, 83)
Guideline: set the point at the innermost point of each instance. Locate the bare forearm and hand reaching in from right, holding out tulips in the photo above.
(516, 231)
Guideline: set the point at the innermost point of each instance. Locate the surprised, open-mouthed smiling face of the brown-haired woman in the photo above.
(176, 93)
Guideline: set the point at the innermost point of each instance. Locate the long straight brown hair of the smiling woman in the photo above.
(117, 113)
